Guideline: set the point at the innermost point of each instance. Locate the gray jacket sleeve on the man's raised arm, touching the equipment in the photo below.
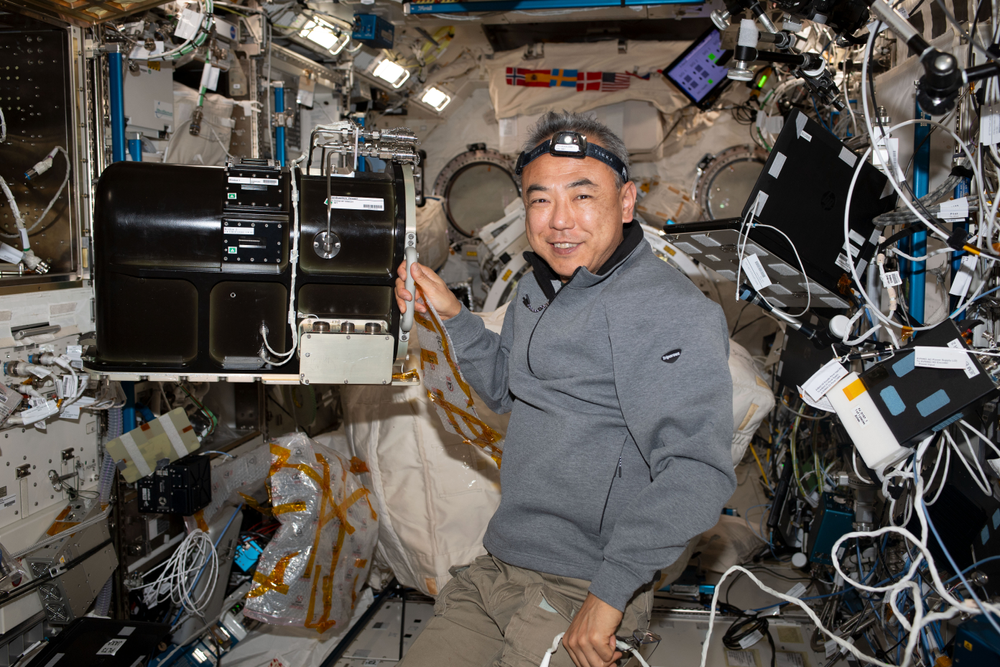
(482, 356)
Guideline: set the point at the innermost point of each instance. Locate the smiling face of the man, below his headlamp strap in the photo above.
(574, 212)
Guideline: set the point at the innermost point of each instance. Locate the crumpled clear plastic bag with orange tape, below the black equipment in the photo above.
(312, 572)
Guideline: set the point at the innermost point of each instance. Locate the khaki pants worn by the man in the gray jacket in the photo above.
(498, 615)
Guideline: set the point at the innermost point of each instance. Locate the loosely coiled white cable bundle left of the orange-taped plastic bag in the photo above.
(194, 558)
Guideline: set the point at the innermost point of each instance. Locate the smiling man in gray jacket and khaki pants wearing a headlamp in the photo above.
(614, 368)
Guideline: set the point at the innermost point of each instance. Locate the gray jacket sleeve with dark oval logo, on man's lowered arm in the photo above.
(675, 392)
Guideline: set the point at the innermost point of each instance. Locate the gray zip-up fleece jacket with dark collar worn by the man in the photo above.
(618, 447)
